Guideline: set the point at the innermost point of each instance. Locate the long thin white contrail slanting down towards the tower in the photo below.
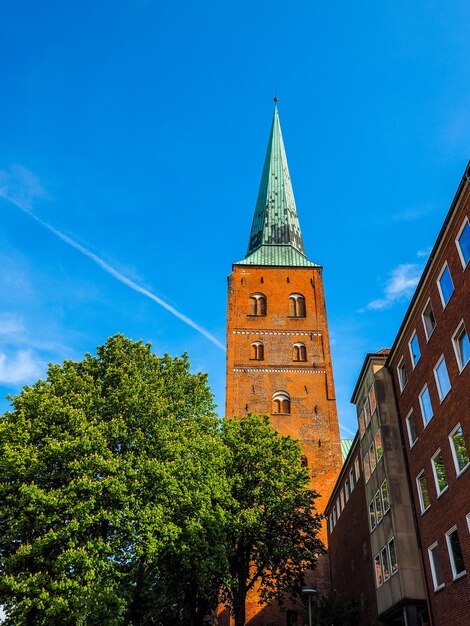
(123, 279)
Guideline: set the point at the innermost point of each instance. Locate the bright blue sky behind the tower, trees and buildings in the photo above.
(134, 132)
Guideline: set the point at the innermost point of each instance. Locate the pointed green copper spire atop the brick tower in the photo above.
(275, 234)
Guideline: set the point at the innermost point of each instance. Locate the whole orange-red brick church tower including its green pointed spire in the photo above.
(278, 349)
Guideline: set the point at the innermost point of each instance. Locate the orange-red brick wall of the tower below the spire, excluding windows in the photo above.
(251, 384)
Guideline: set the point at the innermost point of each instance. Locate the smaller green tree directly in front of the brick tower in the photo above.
(271, 524)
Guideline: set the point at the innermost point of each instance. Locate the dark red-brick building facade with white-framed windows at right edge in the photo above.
(429, 362)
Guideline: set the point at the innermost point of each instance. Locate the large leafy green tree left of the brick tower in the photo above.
(111, 483)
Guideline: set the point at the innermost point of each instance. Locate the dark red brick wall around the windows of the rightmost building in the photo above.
(450, 605)
